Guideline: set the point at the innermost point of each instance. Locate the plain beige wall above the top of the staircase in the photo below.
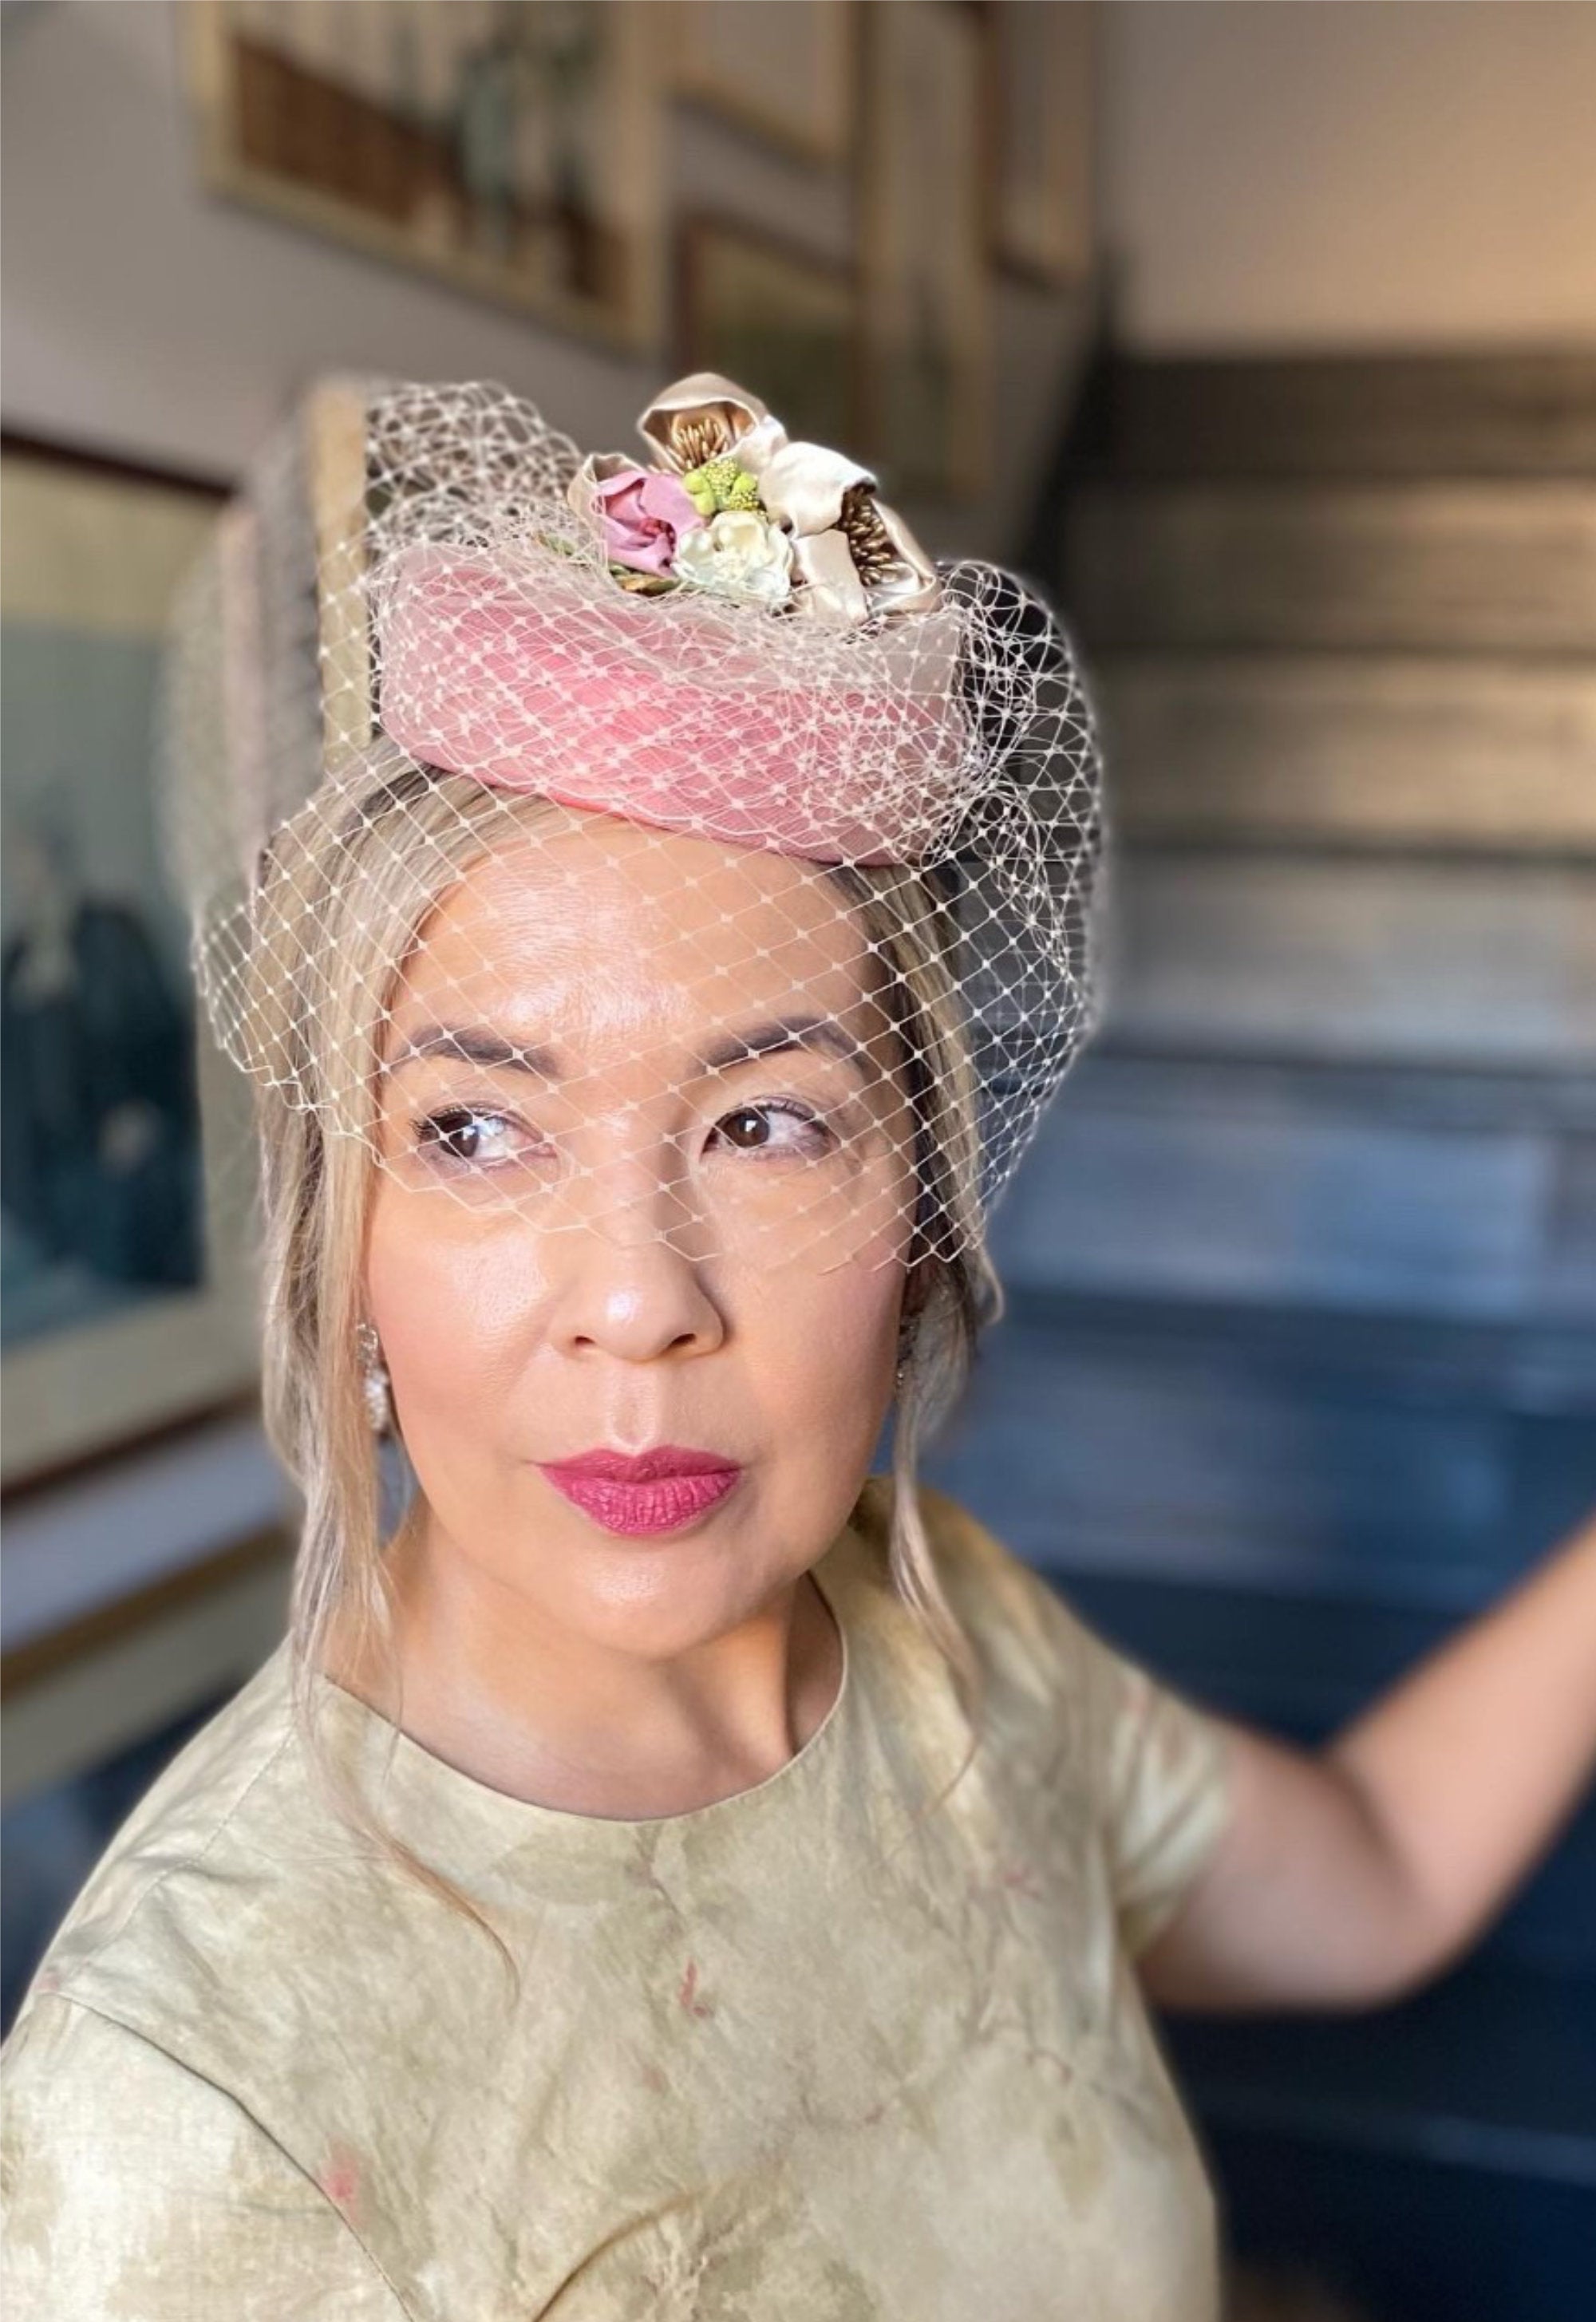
(1351, 173)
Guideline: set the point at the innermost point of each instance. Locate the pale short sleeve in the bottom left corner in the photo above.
(141, 2193)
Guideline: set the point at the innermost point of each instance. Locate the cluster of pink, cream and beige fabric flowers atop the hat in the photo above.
(738, 510)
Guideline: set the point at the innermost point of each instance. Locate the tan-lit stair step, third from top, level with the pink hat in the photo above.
(1353, 751)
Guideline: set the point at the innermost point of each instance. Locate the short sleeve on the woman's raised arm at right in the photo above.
(1156, 1761)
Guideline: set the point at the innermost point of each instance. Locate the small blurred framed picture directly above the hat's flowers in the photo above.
(777, 322)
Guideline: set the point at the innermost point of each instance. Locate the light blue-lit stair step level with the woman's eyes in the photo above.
(1349, 1216)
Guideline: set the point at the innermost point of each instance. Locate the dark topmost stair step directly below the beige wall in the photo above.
(1523, 414)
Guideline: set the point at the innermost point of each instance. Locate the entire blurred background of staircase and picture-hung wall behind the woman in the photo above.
(1265, 336)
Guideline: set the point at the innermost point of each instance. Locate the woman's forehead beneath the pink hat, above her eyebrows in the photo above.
(610, 928)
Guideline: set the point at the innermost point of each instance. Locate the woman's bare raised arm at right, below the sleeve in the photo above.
(1353, 1875)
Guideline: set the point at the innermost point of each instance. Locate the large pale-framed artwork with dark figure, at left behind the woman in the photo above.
(124, 1141)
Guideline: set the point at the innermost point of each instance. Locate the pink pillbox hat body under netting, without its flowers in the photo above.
(533, 672)
